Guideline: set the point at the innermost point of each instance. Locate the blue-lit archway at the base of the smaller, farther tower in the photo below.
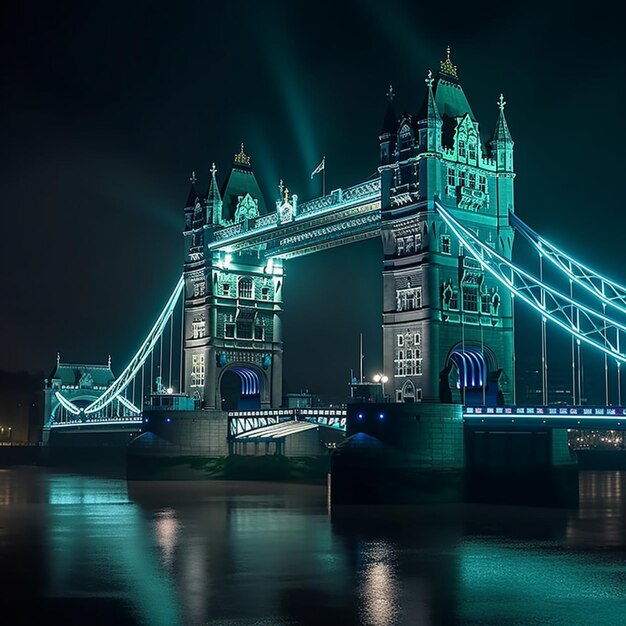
(242, 386)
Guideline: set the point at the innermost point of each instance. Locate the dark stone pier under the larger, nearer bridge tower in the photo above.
(423, 452)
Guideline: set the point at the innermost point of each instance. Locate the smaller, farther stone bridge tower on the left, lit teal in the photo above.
(231, 333)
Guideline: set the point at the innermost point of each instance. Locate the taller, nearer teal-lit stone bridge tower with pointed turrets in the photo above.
(447, 326)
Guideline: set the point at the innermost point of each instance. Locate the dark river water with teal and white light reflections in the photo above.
(85, 550)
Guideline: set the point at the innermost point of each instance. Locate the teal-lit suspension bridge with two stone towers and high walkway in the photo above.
(442, 203)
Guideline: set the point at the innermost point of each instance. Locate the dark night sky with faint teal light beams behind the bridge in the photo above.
(107, 107)
